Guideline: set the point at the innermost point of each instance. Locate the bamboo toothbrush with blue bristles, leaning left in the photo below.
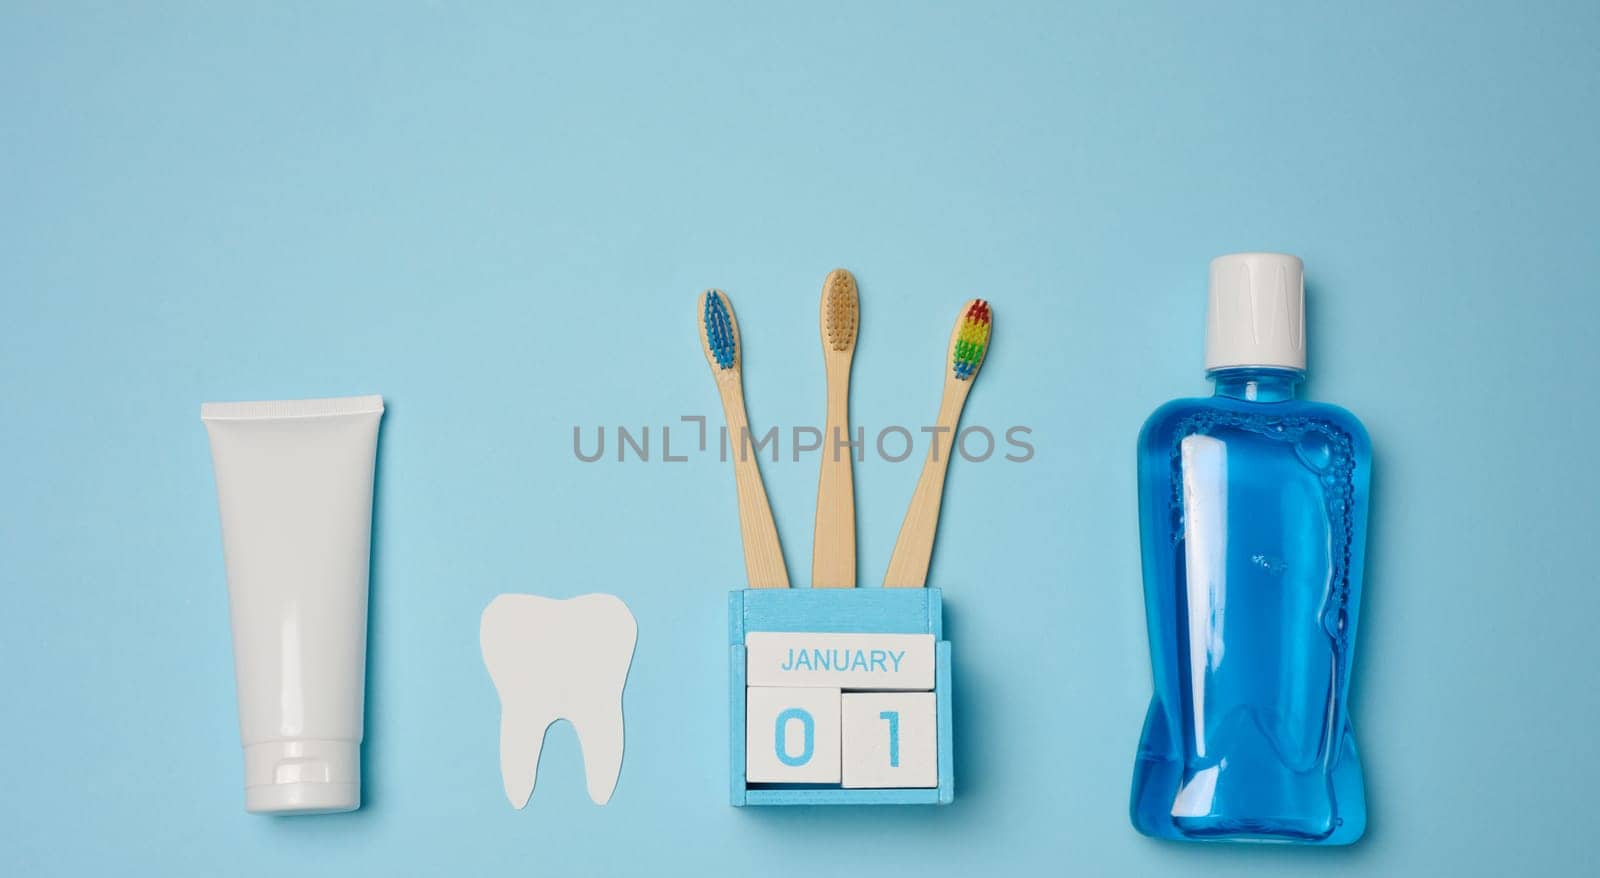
(764, 559)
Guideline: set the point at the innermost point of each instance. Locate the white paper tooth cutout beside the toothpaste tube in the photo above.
(559, 660)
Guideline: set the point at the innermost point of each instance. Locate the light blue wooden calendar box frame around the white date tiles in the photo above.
(841, 612)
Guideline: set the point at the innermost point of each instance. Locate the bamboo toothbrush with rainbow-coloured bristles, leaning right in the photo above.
(914, 548)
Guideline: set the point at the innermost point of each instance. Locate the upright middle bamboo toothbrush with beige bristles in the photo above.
(834, 541)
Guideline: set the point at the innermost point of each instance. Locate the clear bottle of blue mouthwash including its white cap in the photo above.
(1254, 527)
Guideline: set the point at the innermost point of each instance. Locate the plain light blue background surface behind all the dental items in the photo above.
(500, 217)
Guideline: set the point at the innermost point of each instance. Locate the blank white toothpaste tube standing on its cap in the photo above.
(295, 489)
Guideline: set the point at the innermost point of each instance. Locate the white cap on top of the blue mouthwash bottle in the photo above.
(1258, 313)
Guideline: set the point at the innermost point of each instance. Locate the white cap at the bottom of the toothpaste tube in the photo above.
(303, 776)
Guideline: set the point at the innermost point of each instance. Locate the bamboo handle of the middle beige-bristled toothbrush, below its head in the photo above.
(834, 540)
